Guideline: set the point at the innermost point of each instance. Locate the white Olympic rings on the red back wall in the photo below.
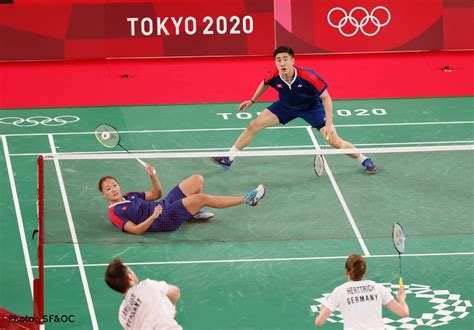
(350, 20)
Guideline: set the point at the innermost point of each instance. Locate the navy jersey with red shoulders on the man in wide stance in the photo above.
(304, 91)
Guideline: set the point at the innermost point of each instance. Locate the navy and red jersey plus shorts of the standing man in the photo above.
(300, 99)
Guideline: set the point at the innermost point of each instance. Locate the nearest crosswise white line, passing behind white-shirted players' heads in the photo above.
(221, 261)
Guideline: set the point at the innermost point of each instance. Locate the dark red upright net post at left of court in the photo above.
(38, 283)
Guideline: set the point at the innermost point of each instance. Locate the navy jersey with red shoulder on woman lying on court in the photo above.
(134, 208)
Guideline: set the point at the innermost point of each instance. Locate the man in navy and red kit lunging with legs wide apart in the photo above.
(302, 94)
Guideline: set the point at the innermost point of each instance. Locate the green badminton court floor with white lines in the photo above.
(248, 268)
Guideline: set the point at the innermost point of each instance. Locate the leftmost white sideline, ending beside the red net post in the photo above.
(19, 218)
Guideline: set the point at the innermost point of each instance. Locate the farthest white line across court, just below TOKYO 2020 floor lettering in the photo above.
(242, 128)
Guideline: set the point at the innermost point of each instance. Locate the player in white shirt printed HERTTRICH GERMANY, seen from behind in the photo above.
(361, 301)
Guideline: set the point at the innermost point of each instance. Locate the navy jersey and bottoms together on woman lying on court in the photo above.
(136, 209)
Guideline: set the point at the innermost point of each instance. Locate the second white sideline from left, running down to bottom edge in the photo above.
(72, 229)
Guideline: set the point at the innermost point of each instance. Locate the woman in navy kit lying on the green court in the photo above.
(139, 212)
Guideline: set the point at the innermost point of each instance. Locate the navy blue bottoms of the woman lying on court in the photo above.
(174, 213)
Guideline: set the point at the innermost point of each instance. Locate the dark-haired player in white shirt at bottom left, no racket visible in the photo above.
(147, 304)
